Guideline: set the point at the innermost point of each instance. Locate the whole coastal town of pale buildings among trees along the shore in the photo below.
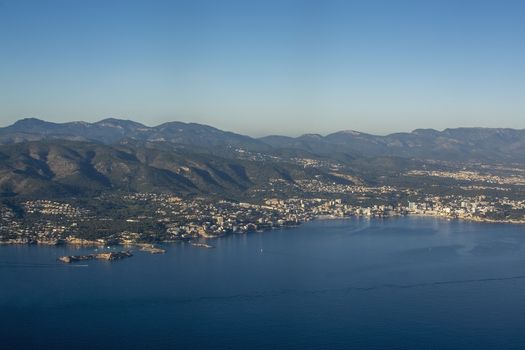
(148, 218)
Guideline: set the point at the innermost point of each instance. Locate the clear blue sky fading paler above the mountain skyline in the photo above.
(266, 67)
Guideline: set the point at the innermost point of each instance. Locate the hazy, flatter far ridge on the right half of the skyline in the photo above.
(460, 144)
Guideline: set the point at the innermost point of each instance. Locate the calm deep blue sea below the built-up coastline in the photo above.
(408, 283)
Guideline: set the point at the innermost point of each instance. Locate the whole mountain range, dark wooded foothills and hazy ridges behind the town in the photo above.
(42, 158)
